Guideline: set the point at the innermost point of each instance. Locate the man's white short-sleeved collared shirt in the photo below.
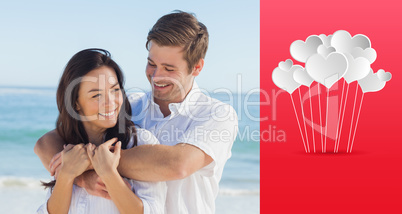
(201, 121)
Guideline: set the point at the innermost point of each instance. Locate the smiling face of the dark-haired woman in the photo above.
(100, 98)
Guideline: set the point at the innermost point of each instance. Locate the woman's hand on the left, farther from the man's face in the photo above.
(74, 160)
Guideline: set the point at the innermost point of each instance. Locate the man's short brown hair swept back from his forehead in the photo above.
(184, 30)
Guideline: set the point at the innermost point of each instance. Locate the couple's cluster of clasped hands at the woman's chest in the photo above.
(88, 164)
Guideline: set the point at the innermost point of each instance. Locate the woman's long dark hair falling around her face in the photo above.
(68, 124)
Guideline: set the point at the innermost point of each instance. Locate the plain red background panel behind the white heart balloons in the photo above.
(370, 179)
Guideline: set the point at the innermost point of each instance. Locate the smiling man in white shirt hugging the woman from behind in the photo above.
(196, 132)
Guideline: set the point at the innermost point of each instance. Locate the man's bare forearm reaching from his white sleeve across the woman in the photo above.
(161, 162)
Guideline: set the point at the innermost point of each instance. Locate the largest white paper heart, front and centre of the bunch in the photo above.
(329, 70)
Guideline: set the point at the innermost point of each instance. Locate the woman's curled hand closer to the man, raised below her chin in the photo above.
(105, 158)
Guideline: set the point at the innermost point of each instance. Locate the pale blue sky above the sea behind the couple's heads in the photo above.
(37, 39)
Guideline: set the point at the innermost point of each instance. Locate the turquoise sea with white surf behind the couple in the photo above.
(28, 113)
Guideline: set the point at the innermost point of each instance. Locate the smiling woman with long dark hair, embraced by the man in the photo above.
(93, 108)
